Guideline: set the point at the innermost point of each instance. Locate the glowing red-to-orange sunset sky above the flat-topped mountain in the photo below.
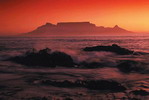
(18, 16)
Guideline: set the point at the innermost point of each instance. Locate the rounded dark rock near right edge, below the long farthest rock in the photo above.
(129, 66)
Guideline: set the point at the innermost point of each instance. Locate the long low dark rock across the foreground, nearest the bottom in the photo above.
(111, 86)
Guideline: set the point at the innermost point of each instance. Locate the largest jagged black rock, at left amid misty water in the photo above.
(44, 58)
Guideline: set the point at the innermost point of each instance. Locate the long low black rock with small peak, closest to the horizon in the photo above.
(114, 48)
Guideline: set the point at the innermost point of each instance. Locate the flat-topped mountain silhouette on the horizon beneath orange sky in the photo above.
(77, 28)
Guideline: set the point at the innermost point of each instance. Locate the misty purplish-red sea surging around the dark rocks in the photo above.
(15, 76)
